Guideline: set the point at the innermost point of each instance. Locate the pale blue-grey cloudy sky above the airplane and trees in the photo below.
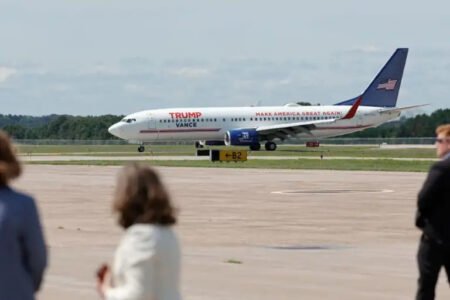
(94, 57)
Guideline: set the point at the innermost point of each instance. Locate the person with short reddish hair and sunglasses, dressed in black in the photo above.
(433, 218)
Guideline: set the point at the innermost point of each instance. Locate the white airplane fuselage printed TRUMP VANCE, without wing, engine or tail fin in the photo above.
(212, 123)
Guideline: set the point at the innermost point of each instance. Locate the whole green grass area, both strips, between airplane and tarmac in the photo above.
(368, 158)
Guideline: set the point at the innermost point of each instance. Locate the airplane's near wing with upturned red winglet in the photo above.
(282, 131)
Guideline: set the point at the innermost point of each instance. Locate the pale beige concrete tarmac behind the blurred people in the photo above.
(245, 234)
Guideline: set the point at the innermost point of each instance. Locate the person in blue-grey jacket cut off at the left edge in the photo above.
(23, 255)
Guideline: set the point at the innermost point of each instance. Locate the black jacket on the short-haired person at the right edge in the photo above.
(433, 205)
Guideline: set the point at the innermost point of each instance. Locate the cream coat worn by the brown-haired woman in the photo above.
(146, 265)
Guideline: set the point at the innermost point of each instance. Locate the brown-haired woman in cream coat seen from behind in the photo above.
(147, 260)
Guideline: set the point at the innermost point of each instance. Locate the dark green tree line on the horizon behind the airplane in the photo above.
(96, 127)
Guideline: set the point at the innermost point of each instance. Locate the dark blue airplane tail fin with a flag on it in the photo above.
(383, 91)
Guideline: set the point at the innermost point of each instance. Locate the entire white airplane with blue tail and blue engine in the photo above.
(251, 126)
